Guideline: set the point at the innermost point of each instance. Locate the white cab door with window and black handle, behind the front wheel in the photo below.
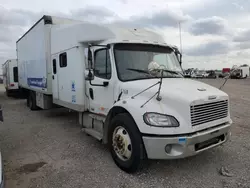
(100, 95)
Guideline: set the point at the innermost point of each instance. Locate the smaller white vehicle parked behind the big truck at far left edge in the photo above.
(10, 77)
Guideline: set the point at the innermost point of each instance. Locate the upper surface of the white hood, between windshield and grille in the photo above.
(186, 90)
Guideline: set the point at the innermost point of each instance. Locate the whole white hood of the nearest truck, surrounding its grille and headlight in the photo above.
(178, 95)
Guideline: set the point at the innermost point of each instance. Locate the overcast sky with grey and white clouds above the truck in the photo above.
(215, 33)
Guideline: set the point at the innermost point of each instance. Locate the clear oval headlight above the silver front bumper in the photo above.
(160, 120)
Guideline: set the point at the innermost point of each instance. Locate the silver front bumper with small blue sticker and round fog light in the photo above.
(185, 145)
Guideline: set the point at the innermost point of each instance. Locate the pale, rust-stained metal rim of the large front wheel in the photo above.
(121, 143)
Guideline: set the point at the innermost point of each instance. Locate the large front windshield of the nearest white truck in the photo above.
(138, 56)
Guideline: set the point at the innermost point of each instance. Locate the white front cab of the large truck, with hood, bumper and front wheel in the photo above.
(148, 116)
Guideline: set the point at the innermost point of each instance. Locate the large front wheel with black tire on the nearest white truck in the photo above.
(125, 143)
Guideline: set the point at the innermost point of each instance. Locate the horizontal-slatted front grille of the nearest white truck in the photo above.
(204, 113)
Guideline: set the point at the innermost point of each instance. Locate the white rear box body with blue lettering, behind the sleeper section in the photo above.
(34, 59)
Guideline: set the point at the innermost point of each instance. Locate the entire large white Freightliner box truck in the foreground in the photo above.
(128, 88)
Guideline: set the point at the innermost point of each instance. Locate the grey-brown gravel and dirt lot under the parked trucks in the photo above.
(47, 149)
